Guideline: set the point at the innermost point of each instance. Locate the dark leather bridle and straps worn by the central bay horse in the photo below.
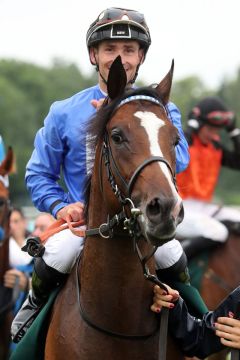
(130, 224)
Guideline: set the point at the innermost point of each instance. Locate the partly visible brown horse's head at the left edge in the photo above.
(6, 167)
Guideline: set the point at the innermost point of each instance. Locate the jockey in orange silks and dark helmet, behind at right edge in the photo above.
(207, 224)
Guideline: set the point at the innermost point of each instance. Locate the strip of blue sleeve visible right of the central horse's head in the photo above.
(182, 154)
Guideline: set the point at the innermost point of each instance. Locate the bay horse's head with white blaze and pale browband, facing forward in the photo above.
(139, 152)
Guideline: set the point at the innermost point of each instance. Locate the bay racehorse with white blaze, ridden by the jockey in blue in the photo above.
(103, 311)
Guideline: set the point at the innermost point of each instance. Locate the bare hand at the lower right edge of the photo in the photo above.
(228, 329)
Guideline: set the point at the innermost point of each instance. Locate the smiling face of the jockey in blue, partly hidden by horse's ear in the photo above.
(108, 50)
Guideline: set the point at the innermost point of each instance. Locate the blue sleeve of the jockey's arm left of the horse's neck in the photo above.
(44, 167)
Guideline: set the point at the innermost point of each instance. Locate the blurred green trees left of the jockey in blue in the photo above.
(26, 93)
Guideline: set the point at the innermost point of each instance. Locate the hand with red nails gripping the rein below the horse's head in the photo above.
(161, 298)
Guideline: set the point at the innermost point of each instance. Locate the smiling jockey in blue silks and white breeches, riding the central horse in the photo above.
(61, 146)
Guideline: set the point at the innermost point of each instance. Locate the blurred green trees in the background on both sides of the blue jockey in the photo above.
(27, 91)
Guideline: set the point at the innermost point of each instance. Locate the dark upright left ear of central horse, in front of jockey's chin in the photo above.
(117, 79)
